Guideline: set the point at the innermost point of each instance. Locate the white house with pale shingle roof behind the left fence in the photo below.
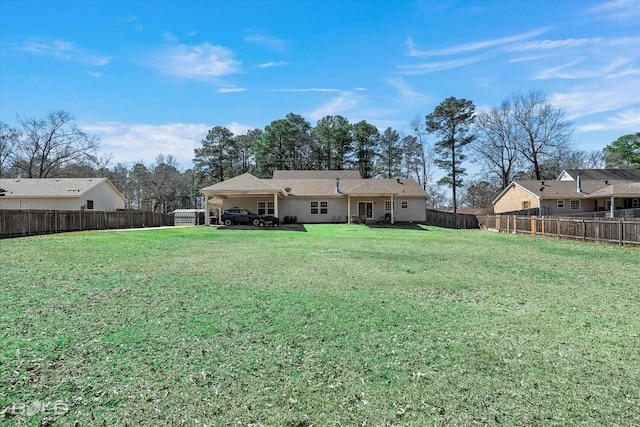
(72, 194)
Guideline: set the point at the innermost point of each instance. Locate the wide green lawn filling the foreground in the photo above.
(342, 325)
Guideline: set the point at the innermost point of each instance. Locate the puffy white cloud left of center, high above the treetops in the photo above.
(199, 62)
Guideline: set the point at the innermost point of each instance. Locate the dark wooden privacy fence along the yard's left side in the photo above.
(14, 223)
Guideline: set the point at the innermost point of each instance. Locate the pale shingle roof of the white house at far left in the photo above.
(48, 187)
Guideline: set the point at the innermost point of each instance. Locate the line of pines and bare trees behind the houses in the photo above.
(526, 137)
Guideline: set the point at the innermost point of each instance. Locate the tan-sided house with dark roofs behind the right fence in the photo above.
(576, 191)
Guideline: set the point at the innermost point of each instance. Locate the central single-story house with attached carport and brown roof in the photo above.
(321, 196)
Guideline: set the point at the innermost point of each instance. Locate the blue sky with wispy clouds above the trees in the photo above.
(152, 77)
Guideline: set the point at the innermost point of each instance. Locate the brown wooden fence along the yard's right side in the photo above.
(620, 231)
